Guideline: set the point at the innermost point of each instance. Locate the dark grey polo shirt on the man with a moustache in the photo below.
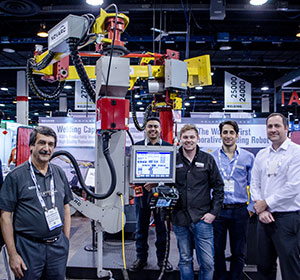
(18, 195)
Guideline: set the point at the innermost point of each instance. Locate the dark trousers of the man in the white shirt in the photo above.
(279, 239)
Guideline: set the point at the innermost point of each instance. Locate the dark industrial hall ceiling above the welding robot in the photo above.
(264, 48)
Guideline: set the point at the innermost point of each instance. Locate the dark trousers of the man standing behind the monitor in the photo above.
(143, 214)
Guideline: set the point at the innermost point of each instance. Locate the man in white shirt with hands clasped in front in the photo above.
(275, 188)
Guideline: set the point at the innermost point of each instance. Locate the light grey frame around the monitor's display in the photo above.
(143, 148)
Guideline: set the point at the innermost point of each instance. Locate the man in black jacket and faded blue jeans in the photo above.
(201, 190)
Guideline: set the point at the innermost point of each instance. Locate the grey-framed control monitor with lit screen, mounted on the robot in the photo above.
(153, 164)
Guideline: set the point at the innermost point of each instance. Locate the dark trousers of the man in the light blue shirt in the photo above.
(236, 221)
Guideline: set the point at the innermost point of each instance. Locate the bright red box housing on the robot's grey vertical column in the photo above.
(112, 113)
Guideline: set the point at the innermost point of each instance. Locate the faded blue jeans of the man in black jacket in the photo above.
(200, 234)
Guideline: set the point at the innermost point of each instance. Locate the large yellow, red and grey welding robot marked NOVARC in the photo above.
(167, 78)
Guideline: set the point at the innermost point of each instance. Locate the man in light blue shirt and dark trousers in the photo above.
(235, 166)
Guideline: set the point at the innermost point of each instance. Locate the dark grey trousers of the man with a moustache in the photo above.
(44, 261)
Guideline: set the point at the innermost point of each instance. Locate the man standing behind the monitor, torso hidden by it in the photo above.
(143, 211)
